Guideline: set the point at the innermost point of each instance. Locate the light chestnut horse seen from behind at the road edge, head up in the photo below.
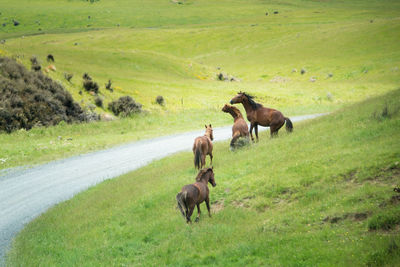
(202, 147)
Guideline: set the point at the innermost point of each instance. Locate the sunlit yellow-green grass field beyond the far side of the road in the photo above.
(350, 48)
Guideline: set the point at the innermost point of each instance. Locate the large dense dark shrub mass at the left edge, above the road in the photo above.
(30, 98)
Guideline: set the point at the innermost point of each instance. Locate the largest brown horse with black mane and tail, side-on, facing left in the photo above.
(257, 114)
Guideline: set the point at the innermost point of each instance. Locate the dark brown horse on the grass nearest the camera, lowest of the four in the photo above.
(194, 194)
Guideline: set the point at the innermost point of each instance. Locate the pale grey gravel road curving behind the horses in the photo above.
(26, 193)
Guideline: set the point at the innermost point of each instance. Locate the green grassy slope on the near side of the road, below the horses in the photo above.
(322, 195)
